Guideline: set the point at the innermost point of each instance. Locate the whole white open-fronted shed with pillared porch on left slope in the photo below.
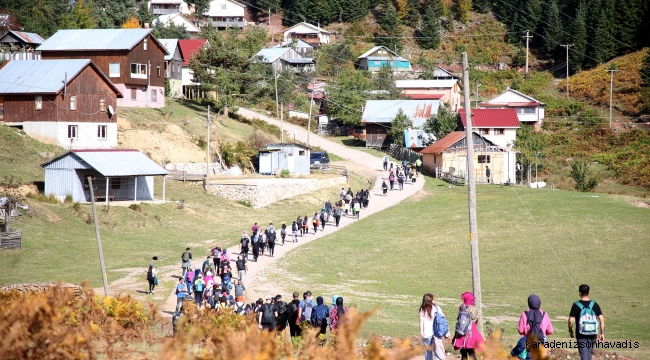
(118, 175)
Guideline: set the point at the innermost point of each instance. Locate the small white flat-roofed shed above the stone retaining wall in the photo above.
(276, 157)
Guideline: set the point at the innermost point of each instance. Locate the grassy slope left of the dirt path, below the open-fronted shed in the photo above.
(59, 243)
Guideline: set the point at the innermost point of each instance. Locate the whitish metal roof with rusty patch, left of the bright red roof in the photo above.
(384, 111)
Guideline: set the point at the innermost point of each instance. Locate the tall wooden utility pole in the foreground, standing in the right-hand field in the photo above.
(471, 182)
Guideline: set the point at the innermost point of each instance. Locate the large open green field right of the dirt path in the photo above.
(390, 259)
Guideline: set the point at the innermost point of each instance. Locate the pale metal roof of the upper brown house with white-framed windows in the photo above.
(95, 39)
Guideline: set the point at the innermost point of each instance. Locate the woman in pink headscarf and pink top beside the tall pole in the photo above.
(467, 338)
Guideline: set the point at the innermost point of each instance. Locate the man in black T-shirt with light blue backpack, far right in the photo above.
(589, 316)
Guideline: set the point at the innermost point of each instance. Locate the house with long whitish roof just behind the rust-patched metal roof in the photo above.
(447, 91)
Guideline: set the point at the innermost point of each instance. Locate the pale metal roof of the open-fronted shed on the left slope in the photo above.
(117, 162)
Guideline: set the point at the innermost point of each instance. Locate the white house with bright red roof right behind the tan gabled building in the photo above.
(497, 125)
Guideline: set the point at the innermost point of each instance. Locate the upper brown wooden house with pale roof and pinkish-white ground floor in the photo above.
(133, 59)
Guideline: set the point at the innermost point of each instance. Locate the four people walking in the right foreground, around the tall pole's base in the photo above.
(585, 315)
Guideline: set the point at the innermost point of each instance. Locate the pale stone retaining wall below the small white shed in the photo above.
(263, 192)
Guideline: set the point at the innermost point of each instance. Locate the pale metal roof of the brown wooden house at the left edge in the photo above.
(43, 76)
